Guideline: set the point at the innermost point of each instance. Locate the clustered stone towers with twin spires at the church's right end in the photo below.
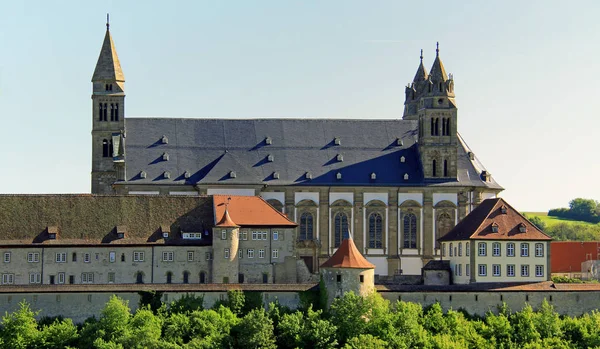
(430, 100)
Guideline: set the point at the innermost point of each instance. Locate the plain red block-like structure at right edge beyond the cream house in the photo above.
(567, 256)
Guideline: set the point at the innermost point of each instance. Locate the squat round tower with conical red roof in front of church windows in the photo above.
(347, 270)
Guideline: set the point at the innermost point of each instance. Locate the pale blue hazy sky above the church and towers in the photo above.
(526, 78)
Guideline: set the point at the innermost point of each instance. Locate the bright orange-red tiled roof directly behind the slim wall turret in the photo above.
(249, 211)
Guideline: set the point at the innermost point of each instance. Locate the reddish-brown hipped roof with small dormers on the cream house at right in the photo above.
(477, 225)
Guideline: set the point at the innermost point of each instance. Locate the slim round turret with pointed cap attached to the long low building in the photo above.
(226, 241)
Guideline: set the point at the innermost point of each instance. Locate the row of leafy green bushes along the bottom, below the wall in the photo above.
(352, 322)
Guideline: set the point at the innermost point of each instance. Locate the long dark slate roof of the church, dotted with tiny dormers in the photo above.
(210, 149)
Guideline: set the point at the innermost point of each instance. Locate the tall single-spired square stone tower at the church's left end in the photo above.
(108, 118)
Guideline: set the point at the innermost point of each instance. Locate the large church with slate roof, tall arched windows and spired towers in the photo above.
(396, 185)
